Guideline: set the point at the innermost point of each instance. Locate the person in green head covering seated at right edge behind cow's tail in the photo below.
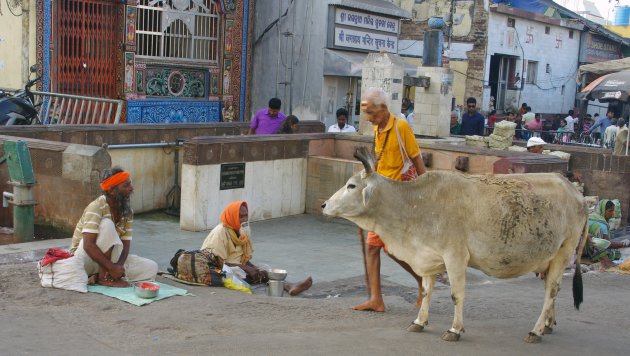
(604, 249)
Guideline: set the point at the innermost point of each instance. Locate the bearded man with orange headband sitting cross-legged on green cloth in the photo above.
(102, 237)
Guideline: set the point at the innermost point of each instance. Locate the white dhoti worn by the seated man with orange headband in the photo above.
(136, 268)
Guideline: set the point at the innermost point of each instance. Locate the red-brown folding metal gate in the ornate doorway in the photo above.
(86, 45)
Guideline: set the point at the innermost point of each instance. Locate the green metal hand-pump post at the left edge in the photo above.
(23, 180)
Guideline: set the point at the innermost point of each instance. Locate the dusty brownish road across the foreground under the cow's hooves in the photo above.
(498, 314)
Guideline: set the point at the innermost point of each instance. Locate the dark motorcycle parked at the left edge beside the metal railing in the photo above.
(19, 108)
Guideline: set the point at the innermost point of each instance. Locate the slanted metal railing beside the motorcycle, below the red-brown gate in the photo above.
(66, 109)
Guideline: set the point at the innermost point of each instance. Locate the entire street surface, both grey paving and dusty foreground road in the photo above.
(498, 314)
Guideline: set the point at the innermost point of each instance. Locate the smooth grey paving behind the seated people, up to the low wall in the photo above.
(325, 248)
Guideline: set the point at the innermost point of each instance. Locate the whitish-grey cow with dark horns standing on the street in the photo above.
(503, 225)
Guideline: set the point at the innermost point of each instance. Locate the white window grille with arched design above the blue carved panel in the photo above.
(186, 30)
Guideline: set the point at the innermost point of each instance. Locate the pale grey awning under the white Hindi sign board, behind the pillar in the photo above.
(350, 64)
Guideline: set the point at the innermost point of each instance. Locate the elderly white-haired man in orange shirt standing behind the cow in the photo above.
(392, 137)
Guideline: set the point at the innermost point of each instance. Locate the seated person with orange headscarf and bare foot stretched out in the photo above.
(230, 240)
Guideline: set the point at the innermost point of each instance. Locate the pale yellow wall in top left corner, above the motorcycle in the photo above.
(12, 53)
